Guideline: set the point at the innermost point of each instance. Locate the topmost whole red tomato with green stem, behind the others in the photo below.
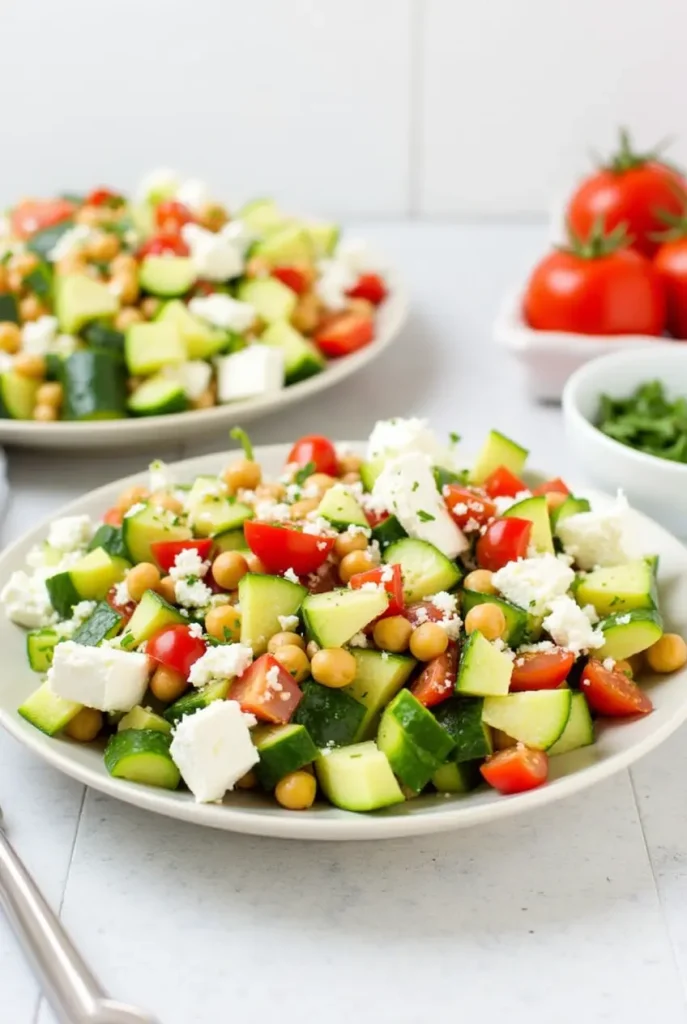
(633, 190)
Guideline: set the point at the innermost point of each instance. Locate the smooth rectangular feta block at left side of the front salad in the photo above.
(99, 677)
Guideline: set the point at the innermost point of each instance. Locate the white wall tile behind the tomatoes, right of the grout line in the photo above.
(517, 96)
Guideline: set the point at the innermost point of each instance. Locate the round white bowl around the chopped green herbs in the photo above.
(658, 487)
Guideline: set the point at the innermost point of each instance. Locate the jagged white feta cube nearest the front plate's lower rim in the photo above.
(213, 749)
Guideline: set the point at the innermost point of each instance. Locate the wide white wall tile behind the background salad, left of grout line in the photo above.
(310, 99)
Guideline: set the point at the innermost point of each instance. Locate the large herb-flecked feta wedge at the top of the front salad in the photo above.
(408, 489)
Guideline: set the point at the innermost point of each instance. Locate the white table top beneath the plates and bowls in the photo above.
(576, 913)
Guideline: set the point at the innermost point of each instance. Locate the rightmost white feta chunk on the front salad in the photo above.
(599, 539)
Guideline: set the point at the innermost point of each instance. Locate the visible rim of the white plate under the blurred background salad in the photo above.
(149, 431)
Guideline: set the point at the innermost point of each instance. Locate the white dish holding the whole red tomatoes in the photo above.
(550, 357)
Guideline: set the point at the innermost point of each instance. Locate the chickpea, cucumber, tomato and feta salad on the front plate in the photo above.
(358, 630)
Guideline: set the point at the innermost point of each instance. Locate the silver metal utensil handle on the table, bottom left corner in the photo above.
(72, 991)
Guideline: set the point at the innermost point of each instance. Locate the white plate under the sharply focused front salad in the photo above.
(618, 746)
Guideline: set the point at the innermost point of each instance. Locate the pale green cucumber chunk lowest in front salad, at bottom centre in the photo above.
(359, 779)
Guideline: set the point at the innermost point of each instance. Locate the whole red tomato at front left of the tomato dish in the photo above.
(596, 287)
